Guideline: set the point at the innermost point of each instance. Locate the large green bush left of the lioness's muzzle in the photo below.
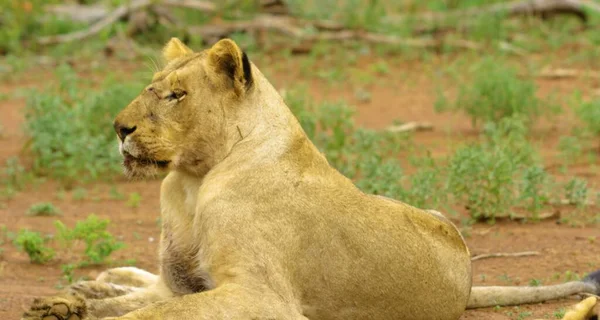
(70, 127)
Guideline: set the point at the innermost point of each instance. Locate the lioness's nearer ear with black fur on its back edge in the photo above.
(230, 65)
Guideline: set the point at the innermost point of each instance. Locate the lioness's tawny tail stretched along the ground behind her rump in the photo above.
(482, 297)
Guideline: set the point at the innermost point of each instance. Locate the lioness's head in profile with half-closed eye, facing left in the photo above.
(191, 114)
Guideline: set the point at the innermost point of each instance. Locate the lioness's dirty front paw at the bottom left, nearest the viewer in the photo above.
(65, 307)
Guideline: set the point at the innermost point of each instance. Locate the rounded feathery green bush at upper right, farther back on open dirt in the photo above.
(496, 92)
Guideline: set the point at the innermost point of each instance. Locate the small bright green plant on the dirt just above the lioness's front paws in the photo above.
(99, 243)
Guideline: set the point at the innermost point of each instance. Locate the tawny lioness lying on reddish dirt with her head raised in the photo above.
(257, 225)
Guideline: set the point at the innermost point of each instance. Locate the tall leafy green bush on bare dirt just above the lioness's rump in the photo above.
(486, 175)
